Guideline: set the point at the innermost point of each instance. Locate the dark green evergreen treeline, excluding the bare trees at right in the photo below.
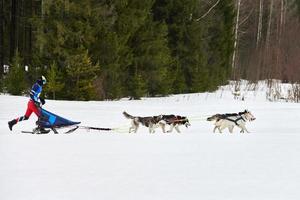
(108, 49)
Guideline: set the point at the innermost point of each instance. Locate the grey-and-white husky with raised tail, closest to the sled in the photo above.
(150, 122)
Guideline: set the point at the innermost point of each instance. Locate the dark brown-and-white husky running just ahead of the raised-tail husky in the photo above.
(174, 121)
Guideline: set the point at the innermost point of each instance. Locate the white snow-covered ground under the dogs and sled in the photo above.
(195, 164)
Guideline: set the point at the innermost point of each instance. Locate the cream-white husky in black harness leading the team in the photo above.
(223, 121)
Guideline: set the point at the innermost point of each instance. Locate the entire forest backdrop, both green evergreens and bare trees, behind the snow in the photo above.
(109, 49)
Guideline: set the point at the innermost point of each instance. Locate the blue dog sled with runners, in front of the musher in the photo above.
(49, 121)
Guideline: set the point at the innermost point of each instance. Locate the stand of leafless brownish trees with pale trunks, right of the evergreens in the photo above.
(268, 43)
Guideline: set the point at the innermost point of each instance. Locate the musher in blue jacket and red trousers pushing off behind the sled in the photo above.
(34, 102)
